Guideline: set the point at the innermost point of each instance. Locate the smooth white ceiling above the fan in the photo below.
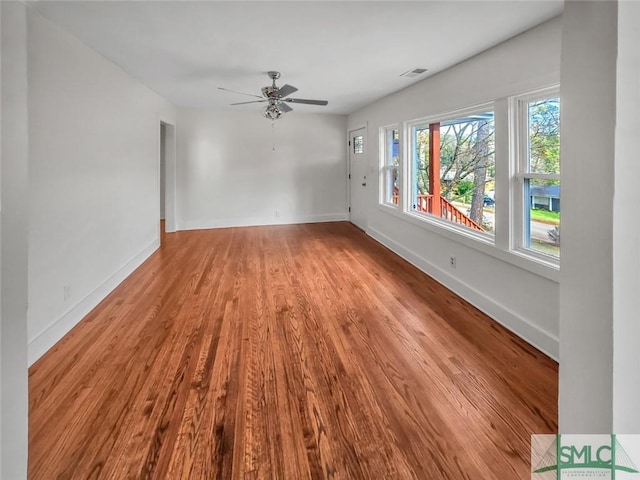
(349, 53)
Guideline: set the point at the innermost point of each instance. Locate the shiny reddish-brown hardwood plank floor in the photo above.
(286, 352)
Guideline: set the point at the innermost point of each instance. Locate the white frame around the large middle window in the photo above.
(409, 165)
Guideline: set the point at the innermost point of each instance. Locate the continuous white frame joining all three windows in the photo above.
(502, 245)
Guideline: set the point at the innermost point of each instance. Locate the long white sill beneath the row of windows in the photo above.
(483, 243)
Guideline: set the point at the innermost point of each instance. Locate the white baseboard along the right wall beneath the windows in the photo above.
(539, 338)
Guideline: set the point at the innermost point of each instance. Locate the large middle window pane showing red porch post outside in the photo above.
(453, 169)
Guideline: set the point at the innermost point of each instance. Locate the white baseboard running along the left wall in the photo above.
(60, 327)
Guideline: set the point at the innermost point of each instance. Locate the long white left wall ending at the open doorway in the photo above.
(94, 207)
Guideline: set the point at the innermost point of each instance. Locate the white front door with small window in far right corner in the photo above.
(358, 178)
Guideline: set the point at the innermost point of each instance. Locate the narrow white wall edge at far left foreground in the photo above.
(13, 253)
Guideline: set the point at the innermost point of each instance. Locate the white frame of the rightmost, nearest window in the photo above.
(520, 174)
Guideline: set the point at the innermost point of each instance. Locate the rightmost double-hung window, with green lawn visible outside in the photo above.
(538, 173)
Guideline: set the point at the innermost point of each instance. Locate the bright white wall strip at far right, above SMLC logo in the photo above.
(626, 230)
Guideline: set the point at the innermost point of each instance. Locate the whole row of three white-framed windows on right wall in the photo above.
(440, 172)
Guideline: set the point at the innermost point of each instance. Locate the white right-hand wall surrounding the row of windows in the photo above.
(493, 280)
